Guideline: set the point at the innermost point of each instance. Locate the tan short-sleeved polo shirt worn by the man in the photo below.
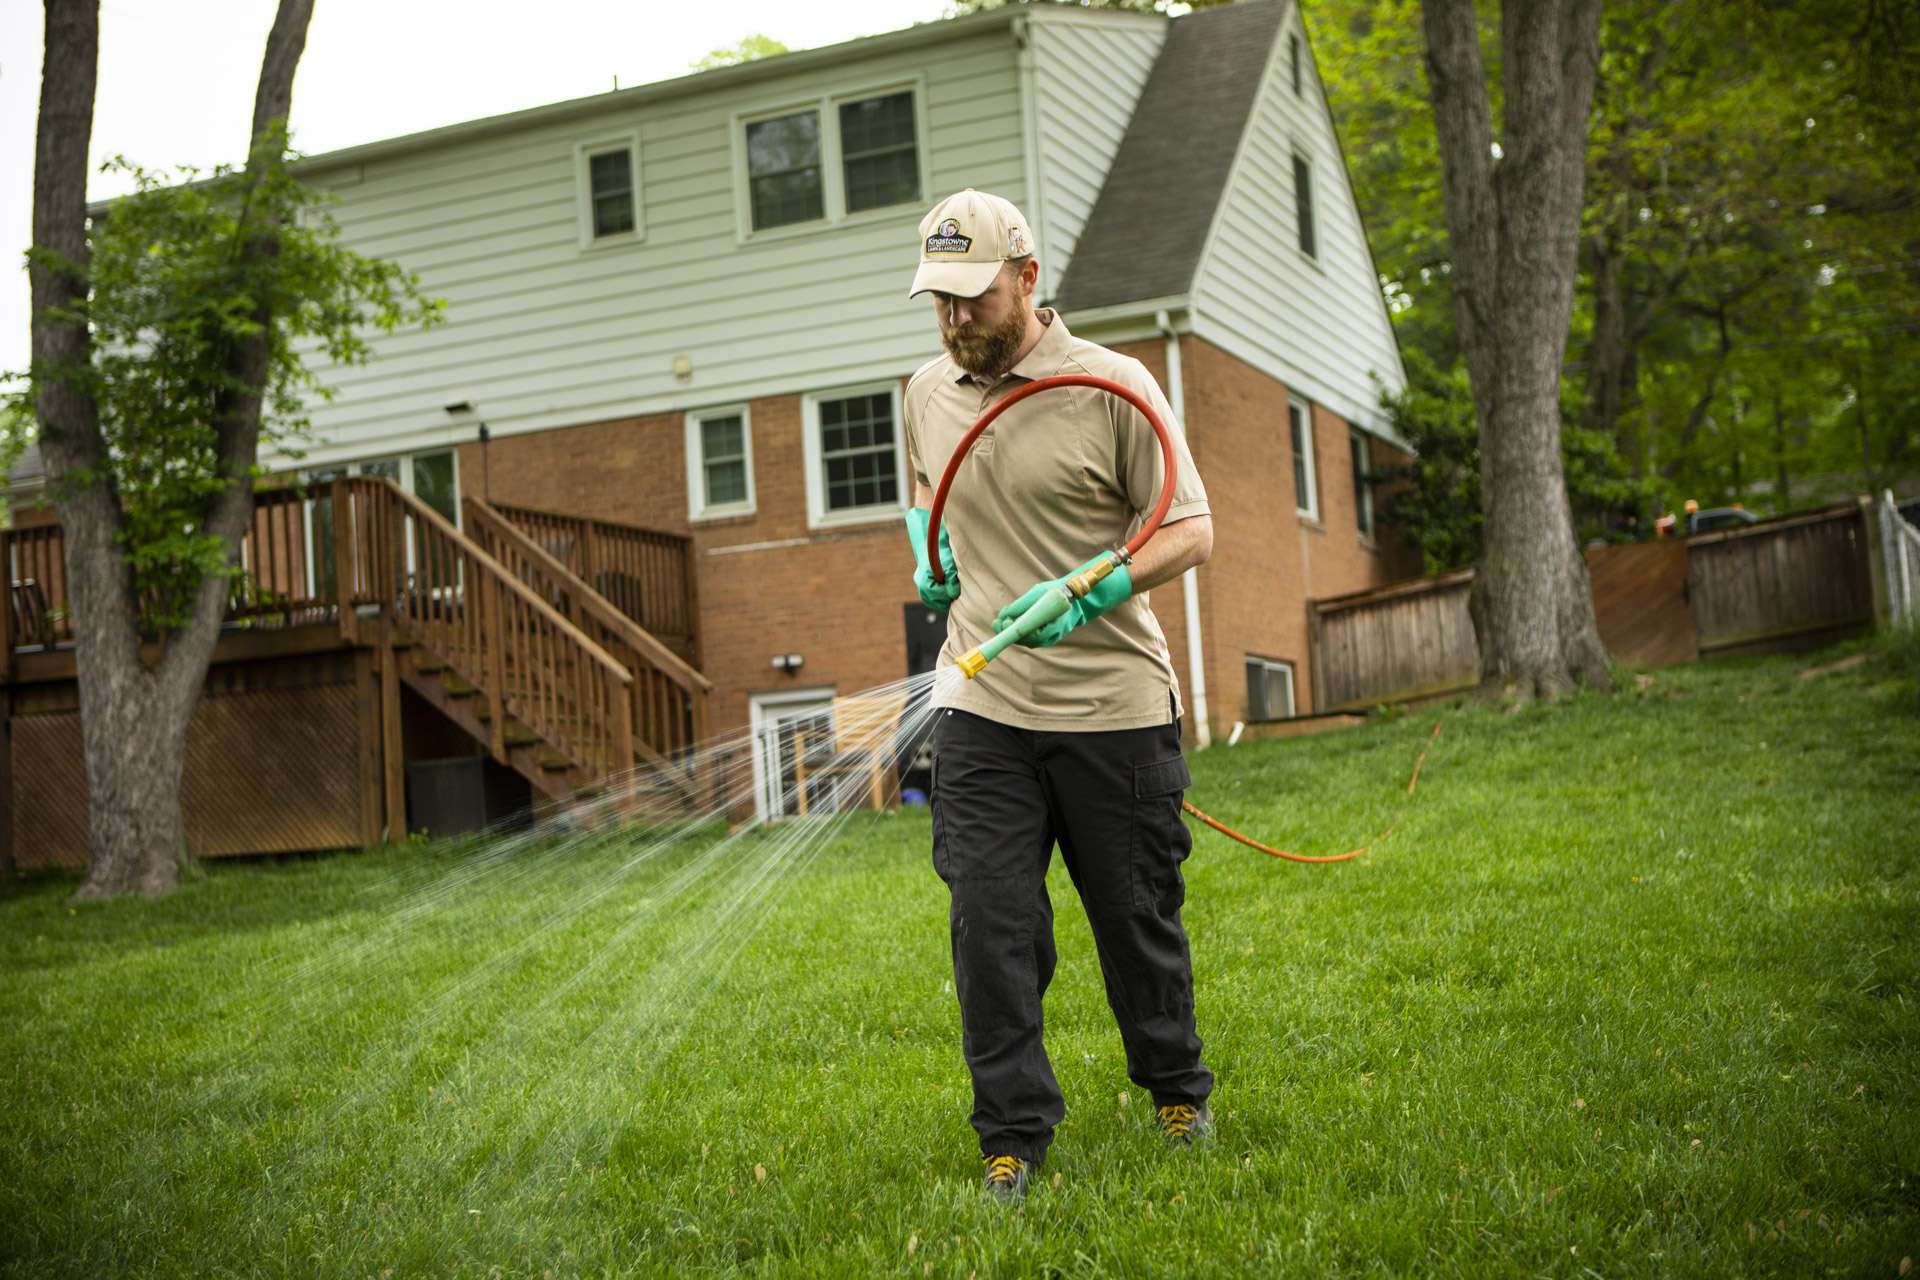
(1051, 485)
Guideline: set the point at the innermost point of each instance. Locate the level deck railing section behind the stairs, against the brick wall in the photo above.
(644, 573)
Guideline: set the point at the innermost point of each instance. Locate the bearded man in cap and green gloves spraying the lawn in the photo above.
(1074, 738)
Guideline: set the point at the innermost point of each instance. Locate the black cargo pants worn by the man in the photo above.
(1113, 801)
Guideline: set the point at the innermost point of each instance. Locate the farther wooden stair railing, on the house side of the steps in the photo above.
(669, 696)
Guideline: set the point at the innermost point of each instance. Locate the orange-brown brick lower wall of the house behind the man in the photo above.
(769, 584)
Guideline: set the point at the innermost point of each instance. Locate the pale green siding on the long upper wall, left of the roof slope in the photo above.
(544, 333)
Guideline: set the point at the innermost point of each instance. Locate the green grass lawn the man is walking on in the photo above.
(1629, 991)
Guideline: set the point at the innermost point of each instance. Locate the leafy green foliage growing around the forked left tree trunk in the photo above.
(174, 293)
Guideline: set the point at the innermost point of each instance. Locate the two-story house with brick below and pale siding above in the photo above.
(683, 308)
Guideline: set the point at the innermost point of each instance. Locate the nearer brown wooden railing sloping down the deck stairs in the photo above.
(443, 592)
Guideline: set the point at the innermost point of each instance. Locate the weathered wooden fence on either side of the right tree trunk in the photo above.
(1779, 584)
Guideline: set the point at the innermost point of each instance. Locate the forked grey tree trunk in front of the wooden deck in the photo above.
(133, 717)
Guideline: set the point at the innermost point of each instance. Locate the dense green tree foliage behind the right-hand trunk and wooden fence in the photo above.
(1750, 172)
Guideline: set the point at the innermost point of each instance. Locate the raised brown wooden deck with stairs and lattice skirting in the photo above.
(347, 600)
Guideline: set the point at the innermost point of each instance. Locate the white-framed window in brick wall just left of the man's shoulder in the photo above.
(855, 458)
